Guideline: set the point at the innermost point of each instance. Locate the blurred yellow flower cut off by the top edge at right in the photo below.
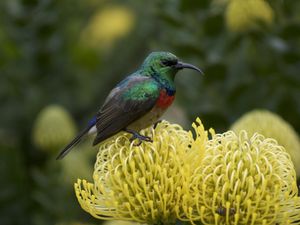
(242, 15)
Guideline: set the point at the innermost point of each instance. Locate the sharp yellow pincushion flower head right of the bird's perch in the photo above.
(243, 180)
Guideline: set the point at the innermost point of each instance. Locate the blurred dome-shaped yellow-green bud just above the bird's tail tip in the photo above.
(53, 128)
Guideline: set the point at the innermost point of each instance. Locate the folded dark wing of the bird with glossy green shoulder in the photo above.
(129, 101)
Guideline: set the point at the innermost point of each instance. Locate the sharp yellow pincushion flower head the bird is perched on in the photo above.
(143, 183)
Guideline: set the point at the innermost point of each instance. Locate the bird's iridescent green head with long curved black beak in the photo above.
(165, 64)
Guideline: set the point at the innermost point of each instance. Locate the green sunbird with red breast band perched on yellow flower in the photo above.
(137, 102)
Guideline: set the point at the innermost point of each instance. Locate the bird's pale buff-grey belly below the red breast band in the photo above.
(150, 118)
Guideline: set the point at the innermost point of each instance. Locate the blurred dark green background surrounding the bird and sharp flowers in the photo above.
(71, 53)
